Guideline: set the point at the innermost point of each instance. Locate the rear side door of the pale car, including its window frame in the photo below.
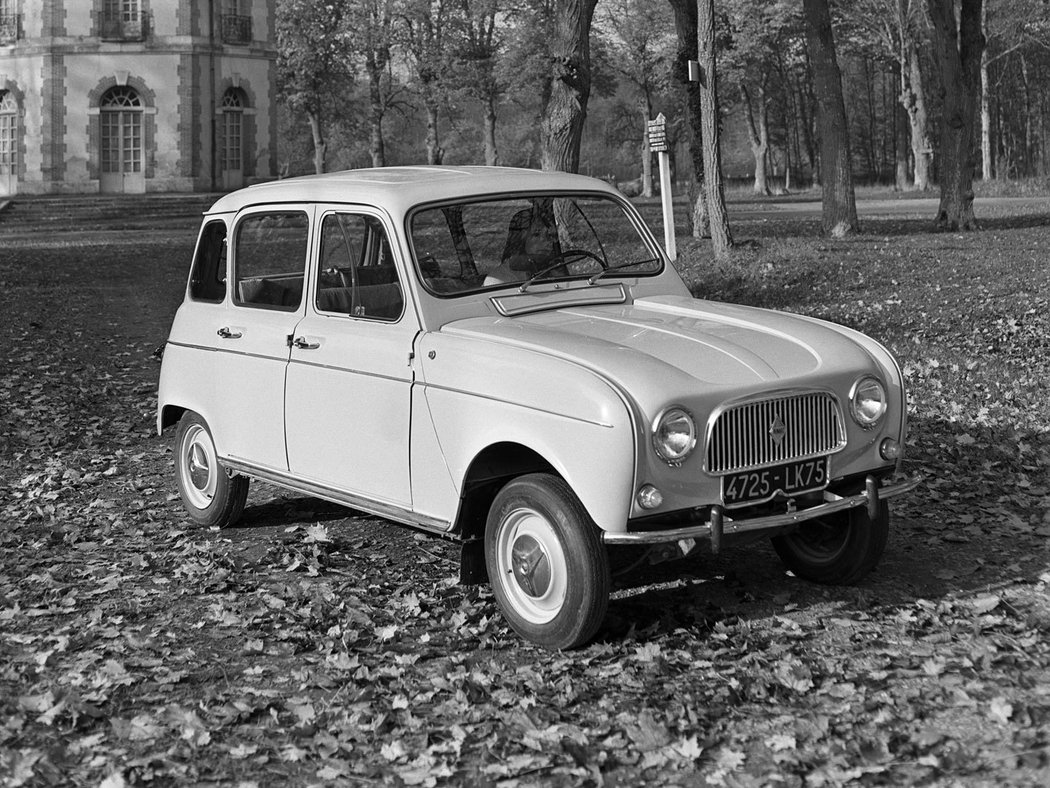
(269, 253)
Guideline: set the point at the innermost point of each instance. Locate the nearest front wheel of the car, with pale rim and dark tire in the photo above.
(547, 563)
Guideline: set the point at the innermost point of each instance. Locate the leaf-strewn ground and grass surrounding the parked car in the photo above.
(311, 646)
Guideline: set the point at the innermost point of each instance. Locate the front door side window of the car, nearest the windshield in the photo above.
(356, 276)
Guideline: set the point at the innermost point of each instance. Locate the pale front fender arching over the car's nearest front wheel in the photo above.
(481, 393)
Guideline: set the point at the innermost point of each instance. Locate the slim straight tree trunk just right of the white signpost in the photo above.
(721, 236)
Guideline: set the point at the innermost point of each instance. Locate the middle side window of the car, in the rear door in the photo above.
(270, 259)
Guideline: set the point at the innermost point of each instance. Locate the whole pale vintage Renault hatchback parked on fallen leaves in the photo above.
(507, 358)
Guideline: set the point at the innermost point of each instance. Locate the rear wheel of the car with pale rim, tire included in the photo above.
(209, 494)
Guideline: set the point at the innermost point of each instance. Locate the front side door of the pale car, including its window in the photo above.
(348, 406)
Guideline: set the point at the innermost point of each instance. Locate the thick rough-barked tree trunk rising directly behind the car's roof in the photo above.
(570, 85)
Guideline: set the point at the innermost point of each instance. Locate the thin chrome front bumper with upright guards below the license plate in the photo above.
(721, 525)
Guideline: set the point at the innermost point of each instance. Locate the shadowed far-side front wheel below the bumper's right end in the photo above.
(841, 550)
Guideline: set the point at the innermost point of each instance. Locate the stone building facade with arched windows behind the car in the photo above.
(136, 96)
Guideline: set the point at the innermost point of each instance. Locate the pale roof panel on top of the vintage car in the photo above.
(400, 189)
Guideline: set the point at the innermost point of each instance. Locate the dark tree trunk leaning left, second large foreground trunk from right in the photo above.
(836, 177)
